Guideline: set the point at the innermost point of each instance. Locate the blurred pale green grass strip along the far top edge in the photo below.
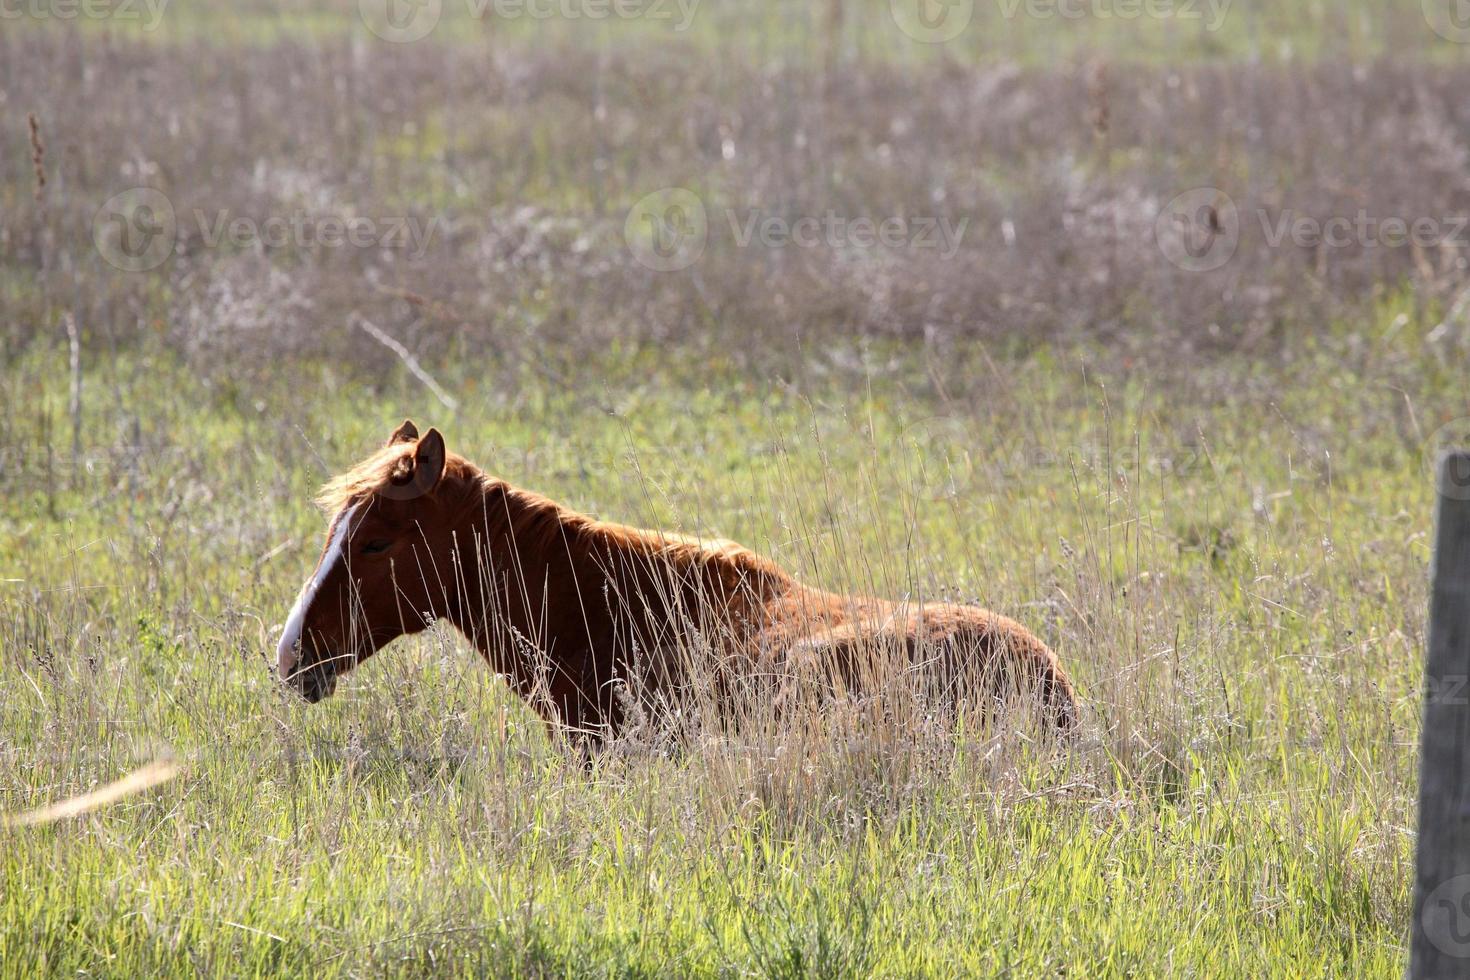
(1037, 33)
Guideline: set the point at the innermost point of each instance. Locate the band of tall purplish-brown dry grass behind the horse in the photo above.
(531, 158)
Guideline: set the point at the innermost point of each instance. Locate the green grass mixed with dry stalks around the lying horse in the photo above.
(1233, 566)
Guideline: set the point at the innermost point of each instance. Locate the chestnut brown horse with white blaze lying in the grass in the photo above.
(593, 621)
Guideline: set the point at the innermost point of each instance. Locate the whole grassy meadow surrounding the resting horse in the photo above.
(1208, 489)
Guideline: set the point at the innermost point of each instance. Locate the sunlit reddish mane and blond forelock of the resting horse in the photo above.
(539, 521)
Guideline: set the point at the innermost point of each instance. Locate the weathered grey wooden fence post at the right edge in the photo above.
(1440, 938)
